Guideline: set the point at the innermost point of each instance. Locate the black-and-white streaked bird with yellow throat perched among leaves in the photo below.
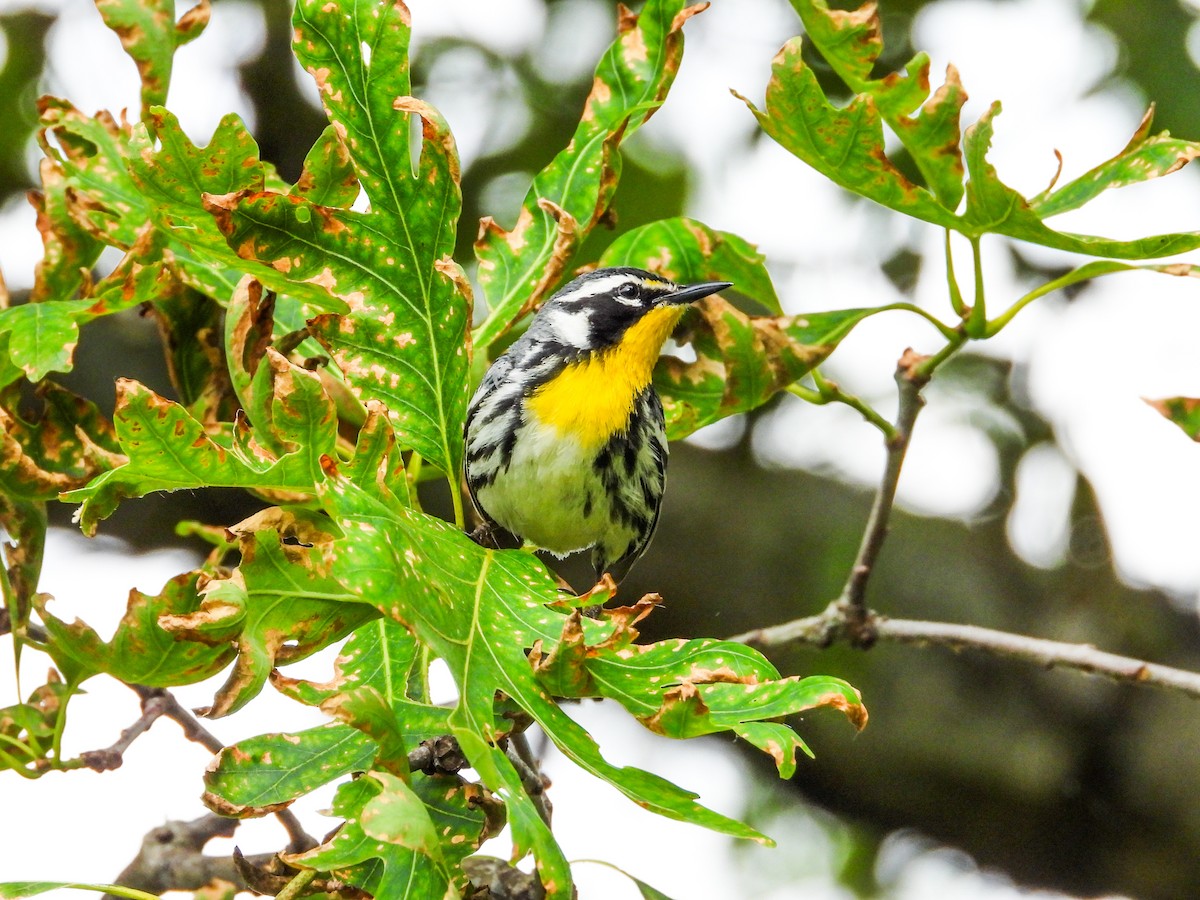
(566, 440)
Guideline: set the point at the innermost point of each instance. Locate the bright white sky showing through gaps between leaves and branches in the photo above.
(1090, 365)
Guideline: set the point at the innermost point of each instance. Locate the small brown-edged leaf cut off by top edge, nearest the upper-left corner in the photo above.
(151, 35)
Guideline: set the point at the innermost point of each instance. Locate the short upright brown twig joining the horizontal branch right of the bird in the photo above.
(910, 381)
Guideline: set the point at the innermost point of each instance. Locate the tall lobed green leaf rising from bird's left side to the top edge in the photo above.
(404, 340)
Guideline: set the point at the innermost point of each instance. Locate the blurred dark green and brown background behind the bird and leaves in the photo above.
(1053, 779)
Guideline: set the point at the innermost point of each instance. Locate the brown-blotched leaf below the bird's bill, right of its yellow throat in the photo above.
(743, 361)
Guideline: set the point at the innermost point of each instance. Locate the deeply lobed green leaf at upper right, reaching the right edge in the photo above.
(848, 147)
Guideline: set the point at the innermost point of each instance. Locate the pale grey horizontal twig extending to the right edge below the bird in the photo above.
(831, 626)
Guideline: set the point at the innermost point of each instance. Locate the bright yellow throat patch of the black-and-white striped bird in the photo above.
(593, 399)
